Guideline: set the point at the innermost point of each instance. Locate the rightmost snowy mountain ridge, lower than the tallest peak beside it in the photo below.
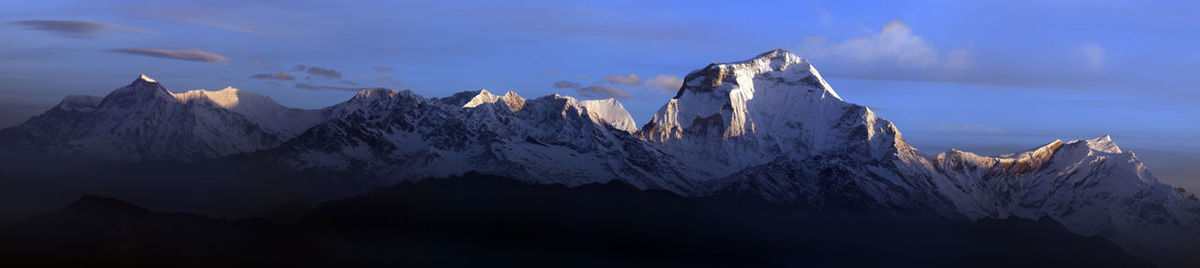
(1093, 187)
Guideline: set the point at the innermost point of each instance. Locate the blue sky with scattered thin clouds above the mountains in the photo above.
(985, 76)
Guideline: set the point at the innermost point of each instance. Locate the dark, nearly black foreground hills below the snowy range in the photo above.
(481, 221)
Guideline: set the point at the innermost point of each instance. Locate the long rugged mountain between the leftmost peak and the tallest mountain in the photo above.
(399, 135)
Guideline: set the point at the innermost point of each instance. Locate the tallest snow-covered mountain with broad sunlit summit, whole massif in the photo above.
(772, 128)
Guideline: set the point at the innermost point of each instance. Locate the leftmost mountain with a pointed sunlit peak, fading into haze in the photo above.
(145, 122)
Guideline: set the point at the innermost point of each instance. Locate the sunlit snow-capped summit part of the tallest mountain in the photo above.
(763, 94)
